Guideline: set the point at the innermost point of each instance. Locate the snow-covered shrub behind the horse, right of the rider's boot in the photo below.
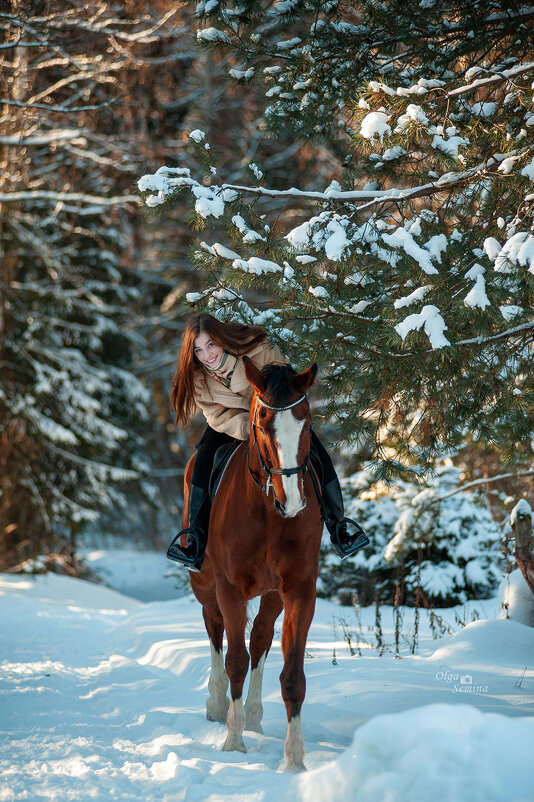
(445, 549)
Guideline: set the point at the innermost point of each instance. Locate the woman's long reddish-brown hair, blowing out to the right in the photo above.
(235, 338)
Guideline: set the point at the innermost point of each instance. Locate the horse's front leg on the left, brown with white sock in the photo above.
(234, 609)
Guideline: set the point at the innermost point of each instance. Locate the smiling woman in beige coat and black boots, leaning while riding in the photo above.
(210, 374)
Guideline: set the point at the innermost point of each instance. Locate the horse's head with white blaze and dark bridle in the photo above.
(280, 422)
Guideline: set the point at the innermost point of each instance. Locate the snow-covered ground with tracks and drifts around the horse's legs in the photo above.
(102, 698)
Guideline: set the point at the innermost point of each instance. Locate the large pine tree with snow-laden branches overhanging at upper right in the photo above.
(410, 277)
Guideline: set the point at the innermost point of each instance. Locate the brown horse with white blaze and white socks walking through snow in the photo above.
(264, 538)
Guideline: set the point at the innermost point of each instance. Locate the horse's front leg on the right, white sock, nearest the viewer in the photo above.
(299, 606)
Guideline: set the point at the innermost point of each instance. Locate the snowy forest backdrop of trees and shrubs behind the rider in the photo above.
(96, 287)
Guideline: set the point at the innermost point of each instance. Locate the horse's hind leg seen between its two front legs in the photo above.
(261, 639)
